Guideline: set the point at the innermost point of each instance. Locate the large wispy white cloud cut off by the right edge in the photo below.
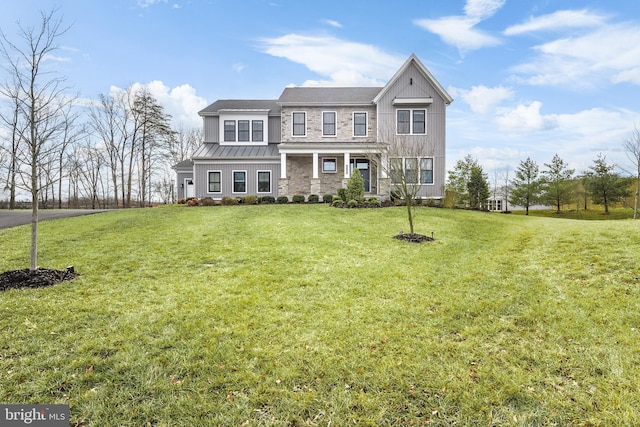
(608, 53)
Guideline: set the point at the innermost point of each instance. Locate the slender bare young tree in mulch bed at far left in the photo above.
(41, 101)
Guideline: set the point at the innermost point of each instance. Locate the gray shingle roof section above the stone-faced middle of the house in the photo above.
(328, 95)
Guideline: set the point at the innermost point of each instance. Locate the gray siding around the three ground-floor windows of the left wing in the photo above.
(227, 168)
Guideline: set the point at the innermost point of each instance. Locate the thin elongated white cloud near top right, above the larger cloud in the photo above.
(558, 20)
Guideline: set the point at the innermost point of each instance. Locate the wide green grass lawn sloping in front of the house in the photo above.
(308, 315)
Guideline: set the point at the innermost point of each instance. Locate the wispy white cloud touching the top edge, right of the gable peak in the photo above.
(460, 30)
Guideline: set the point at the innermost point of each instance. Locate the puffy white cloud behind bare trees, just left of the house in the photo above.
(181, 102)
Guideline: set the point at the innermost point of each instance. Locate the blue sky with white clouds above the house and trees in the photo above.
(529, 78)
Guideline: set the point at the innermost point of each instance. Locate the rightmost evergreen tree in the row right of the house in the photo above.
(604, 184)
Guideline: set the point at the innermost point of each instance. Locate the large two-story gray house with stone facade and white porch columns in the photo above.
(310, 140)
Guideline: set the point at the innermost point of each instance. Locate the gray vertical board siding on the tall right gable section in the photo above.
(413, 84)
